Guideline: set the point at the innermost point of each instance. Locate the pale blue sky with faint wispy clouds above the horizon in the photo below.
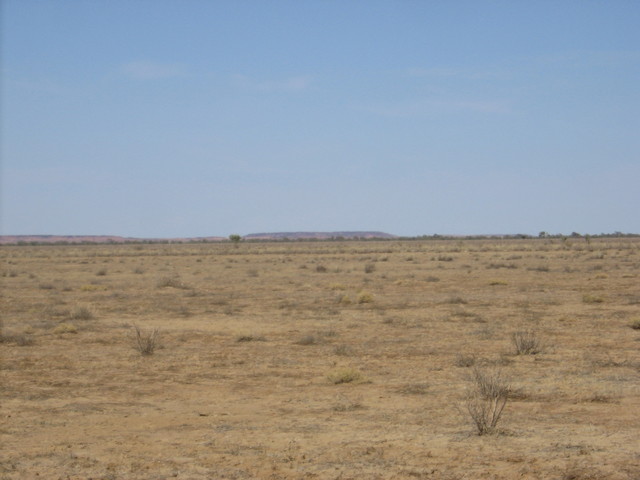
(184, 118)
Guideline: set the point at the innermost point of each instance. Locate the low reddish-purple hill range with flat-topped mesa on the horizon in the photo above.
(84, 239)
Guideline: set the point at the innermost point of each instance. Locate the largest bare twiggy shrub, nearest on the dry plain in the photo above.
(486, 400)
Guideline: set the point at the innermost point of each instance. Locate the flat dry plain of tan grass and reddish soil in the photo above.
(336, 360)
